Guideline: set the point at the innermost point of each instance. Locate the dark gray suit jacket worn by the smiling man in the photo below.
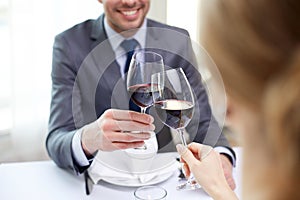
(86, 81)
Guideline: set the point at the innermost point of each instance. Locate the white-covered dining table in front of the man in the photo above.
(44, 180)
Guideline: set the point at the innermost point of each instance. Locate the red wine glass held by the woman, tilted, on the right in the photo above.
(174, 105)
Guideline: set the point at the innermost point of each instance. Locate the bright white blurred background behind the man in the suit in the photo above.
(27, 30)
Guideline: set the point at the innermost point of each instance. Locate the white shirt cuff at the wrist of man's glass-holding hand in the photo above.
(78, 152)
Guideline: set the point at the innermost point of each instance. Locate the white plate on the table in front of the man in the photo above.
(162, 166)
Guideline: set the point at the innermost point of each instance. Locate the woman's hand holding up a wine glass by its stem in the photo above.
(205, 164)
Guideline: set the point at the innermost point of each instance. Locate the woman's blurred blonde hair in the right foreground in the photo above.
(256, 46)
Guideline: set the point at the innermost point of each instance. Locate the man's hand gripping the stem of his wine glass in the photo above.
(115, 130)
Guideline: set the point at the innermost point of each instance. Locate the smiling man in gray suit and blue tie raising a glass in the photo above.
(89, 107)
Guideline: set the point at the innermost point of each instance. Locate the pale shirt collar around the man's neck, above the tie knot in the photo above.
(115, 39)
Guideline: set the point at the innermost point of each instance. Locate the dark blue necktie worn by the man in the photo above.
(129, 46)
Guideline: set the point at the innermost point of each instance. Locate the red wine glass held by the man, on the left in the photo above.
(143, 64)
